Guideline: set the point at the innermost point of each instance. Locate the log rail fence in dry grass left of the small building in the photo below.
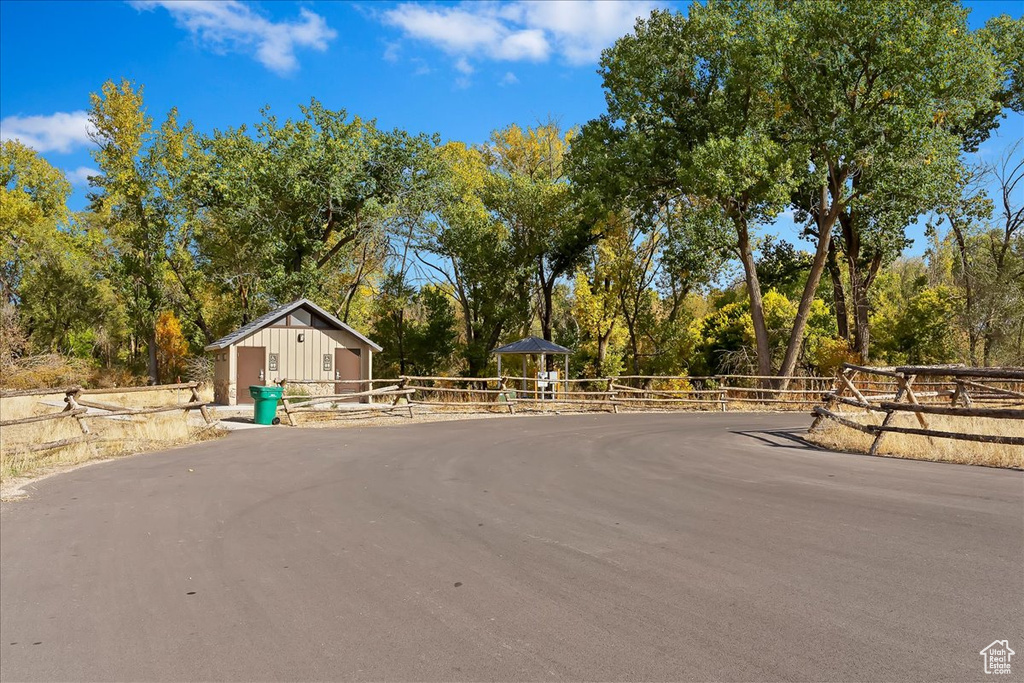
(77, 407)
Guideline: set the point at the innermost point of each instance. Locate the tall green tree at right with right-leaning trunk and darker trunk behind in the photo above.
(877, 106)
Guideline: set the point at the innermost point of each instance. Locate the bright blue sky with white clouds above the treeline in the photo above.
(461, 70)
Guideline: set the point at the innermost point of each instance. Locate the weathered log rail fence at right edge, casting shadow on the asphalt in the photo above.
(950, 391)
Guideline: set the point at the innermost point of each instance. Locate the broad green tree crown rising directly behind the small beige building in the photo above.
(307, 200)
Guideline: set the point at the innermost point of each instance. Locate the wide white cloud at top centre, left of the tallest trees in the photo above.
(529, 30)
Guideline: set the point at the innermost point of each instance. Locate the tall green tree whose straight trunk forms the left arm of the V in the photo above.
(681, 122)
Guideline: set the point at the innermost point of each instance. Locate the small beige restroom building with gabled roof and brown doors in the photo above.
(297, 341)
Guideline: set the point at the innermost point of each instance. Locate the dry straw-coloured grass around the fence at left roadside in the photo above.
(116, 436)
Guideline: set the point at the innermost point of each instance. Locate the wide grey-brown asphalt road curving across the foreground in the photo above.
(613, 547)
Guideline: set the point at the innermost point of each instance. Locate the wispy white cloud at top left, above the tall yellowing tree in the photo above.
(226, 26)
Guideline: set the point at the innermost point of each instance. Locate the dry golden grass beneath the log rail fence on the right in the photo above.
(834, 436)
